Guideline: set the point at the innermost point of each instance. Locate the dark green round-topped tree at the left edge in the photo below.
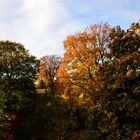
(17, 76)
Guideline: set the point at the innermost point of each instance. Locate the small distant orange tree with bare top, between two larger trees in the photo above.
(47, 72)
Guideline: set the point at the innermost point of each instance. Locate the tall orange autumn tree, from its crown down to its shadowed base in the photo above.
(77, 74)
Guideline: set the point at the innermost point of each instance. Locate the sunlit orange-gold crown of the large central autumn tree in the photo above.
(84, 52)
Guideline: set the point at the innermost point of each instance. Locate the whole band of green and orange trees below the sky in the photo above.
(91, 93)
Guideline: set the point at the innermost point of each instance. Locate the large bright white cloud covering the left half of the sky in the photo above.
(40, 25)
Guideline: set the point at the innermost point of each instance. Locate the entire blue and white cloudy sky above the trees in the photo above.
(42, 25)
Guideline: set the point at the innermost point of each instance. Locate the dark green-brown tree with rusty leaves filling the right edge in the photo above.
(119, 95)
